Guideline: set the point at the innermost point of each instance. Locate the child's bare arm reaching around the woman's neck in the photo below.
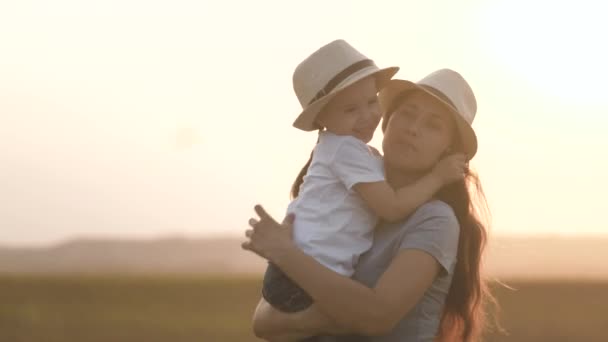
(394, 205)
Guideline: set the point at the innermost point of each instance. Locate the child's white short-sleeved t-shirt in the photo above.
(332, 223)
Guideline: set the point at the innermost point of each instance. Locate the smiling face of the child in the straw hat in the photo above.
(355, 111)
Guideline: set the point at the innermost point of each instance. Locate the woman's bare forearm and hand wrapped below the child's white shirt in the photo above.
(350, 304)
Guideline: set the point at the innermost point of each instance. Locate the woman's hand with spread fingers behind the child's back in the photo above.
(268, 238)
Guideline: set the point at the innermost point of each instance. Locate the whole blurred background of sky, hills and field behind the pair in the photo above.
(136, 136)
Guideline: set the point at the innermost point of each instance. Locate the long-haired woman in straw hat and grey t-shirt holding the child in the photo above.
(421, 280)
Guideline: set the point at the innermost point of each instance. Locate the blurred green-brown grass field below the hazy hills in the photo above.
(147, 308)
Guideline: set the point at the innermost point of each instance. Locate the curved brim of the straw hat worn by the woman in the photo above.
(395, 88)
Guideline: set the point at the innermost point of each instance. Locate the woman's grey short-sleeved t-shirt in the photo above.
(432, 228)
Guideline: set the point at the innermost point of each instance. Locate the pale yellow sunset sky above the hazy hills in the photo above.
(137, 118)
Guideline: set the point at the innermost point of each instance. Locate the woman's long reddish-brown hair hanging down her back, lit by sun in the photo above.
(464, 313)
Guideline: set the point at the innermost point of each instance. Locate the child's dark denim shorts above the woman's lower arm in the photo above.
(282, 293)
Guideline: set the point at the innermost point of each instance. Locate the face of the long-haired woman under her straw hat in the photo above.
(418, 134)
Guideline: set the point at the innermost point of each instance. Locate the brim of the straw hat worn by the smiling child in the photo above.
(306, 120)
